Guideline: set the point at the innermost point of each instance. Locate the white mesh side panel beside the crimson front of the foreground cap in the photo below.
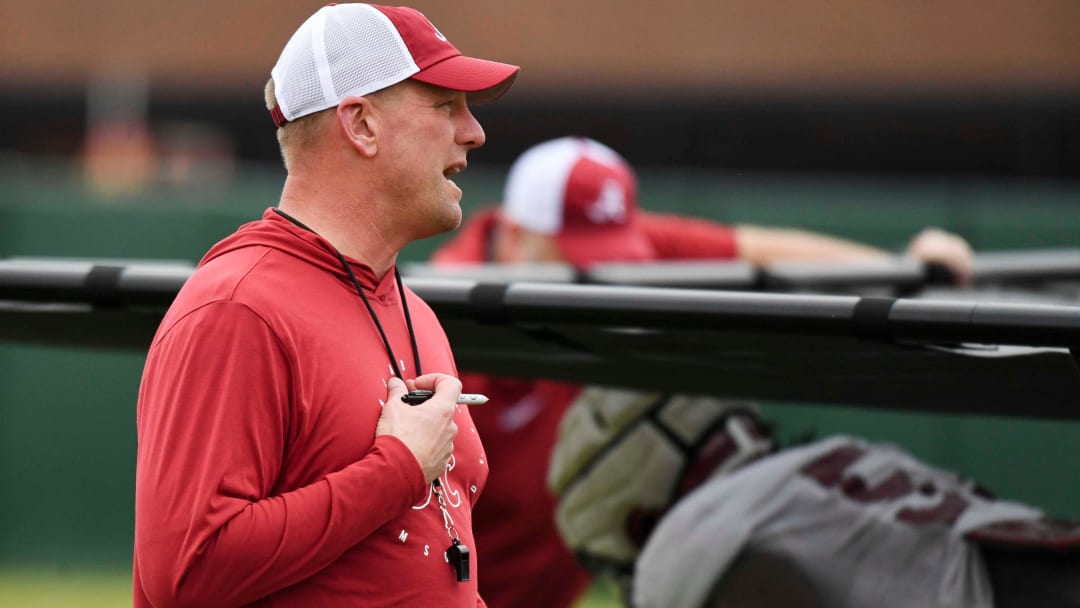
(366, 53)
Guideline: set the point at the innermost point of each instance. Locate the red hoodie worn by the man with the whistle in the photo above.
(260, 479)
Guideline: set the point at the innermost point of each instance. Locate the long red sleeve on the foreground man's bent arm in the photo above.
(213, 418)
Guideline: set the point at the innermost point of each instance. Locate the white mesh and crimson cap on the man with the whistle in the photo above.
(354, 49)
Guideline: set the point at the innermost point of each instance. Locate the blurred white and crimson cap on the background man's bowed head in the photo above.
(585, 195)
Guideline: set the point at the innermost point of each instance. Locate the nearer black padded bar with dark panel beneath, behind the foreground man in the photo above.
(798, 348)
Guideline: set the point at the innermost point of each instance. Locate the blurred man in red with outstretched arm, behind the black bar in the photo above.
(574, 200)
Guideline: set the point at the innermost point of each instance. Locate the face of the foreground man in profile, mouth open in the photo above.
(428, 133)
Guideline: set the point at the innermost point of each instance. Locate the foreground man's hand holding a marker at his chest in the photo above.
(428, 429)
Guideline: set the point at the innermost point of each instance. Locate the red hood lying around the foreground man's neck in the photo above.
(277, 233)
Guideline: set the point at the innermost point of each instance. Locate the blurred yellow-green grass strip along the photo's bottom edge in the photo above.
(44, 588)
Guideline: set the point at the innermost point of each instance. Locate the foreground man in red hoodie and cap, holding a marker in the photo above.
(278, 464)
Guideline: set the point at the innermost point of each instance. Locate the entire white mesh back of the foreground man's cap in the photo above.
(341, 51)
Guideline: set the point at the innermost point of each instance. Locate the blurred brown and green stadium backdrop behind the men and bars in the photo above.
(137, 130)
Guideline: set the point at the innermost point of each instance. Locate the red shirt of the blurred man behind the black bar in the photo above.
(525, 562)
